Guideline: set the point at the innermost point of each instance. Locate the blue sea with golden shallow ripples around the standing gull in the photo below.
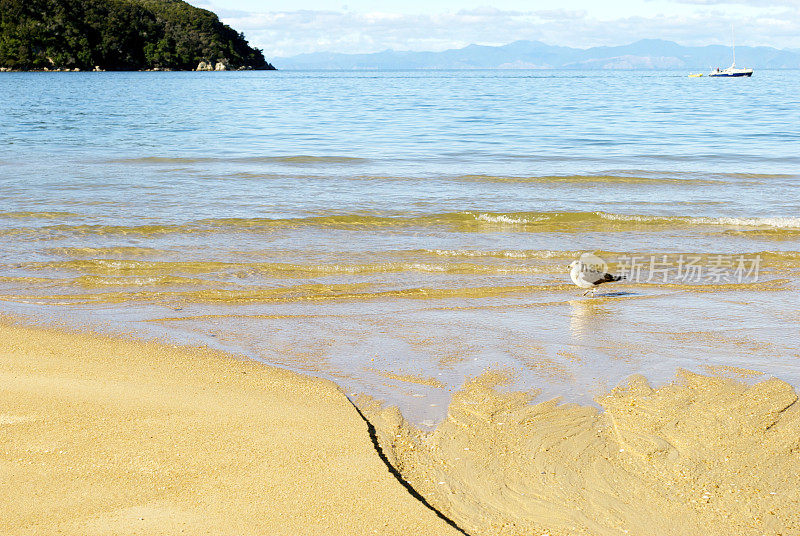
(401, 231)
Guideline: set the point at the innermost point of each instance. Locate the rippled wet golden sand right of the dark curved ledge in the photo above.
(701, 456)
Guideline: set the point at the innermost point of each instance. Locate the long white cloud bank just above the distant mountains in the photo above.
(286, 33)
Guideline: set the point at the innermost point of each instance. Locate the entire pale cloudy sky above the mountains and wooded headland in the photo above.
(289, 27)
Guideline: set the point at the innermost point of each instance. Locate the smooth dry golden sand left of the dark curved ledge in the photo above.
(112, 437)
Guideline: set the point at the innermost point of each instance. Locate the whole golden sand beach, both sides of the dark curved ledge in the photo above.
(111, 435)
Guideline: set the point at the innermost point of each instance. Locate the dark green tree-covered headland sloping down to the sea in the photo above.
(118, 35)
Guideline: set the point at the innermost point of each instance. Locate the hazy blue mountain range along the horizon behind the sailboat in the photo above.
(647, 54)
